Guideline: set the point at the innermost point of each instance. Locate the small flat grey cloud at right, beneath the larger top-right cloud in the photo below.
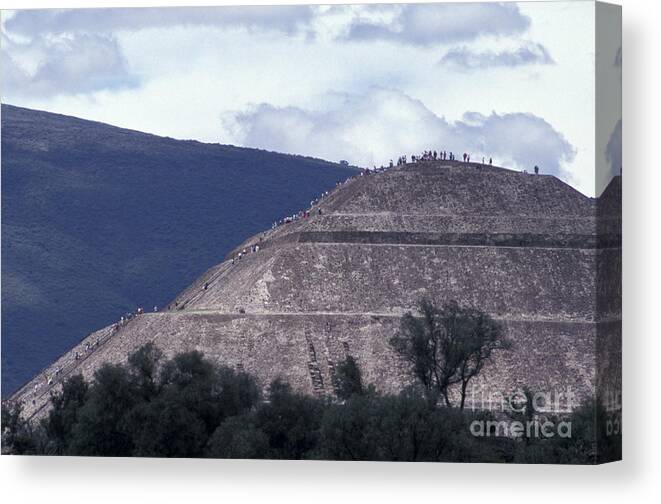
(528, 54)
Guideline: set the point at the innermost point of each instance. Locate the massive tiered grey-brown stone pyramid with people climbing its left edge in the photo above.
(333, 281)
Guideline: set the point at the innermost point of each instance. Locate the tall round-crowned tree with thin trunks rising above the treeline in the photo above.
(447, 346)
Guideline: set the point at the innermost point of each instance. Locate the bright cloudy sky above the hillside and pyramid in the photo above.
(365, 83)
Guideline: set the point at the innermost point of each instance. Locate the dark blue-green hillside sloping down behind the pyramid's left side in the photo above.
(97, 220)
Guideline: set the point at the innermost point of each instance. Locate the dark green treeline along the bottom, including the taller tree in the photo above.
(189, 406)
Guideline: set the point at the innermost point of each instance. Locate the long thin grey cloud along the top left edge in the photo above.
(288, 19)
